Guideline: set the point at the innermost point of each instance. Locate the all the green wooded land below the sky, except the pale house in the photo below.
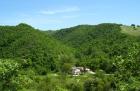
(35, 60)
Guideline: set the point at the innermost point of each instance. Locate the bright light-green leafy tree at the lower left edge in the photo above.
(8, 69)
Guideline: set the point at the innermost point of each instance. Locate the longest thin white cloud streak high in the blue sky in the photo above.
(66, 10)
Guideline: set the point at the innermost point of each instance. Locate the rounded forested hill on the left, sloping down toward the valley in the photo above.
(25, 42)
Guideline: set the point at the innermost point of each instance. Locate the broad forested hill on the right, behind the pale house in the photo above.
(98, 46)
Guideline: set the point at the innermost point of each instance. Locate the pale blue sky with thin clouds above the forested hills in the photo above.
(57, 14)
